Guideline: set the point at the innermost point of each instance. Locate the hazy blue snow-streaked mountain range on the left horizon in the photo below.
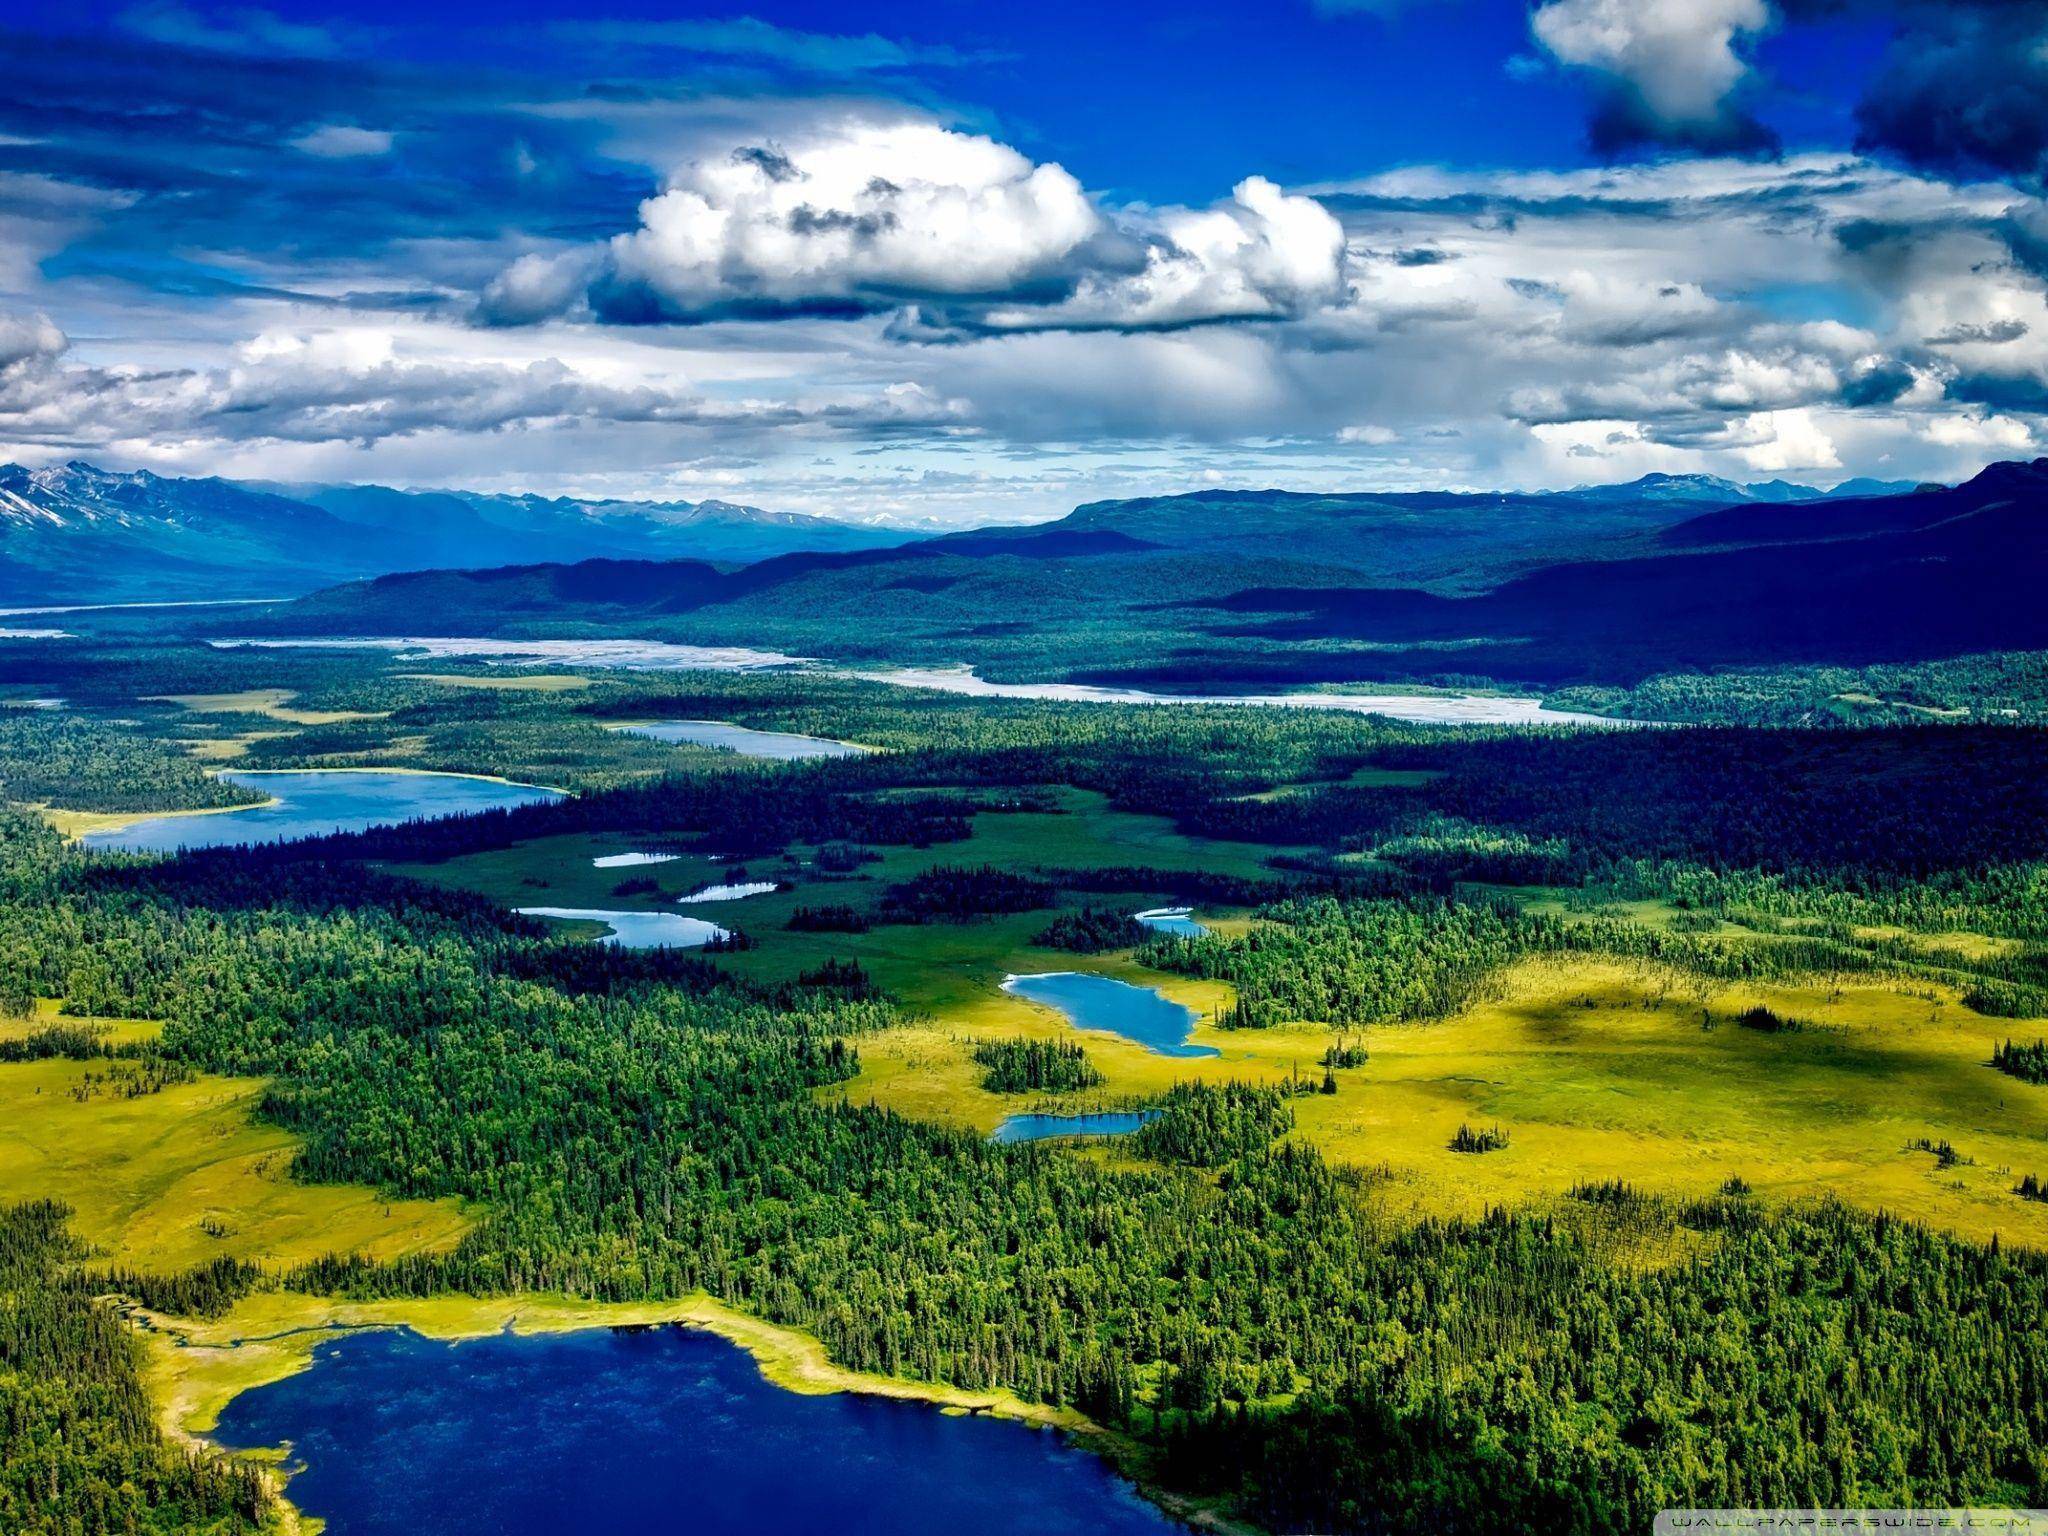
(93, 536)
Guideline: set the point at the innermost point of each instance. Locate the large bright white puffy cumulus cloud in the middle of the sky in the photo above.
(955, 230)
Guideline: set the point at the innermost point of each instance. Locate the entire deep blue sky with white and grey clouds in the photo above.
(951, 263)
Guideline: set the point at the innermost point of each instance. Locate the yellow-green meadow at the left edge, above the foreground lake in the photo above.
(181, 1177)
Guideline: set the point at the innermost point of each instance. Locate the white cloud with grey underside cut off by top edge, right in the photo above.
(1668, 69)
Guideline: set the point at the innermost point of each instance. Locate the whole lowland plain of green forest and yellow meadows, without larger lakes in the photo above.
(1678, 1258)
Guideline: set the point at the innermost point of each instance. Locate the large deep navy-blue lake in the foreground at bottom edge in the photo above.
(667, 1433)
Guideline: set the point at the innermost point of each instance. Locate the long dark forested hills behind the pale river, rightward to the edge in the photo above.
(1279, 589)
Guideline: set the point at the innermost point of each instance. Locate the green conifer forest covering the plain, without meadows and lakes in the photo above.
(1220, 1293)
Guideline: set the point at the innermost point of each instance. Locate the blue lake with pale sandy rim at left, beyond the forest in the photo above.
(314, 804)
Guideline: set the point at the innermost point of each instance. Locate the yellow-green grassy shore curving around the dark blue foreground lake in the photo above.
(194, 1369)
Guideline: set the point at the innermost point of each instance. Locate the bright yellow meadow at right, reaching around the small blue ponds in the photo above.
(1598, 1072)
